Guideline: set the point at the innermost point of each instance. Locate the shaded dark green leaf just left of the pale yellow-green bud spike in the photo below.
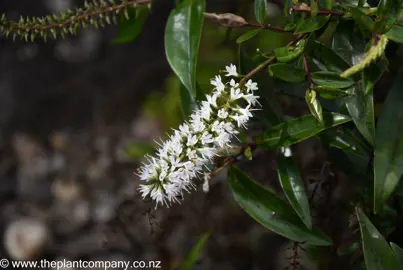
(329, 58)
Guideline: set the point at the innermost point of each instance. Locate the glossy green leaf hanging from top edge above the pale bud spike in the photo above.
(388, 11)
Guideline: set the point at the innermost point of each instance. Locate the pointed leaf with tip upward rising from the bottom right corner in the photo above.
(377, 253)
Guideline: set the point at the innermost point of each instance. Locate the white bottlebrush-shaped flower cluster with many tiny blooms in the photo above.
(191, 148)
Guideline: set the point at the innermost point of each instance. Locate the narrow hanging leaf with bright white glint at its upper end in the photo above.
(292, 184)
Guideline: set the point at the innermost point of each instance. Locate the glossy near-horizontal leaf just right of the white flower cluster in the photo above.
(299, 129)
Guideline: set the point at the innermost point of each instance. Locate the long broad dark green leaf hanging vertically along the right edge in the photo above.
(388, 156)
